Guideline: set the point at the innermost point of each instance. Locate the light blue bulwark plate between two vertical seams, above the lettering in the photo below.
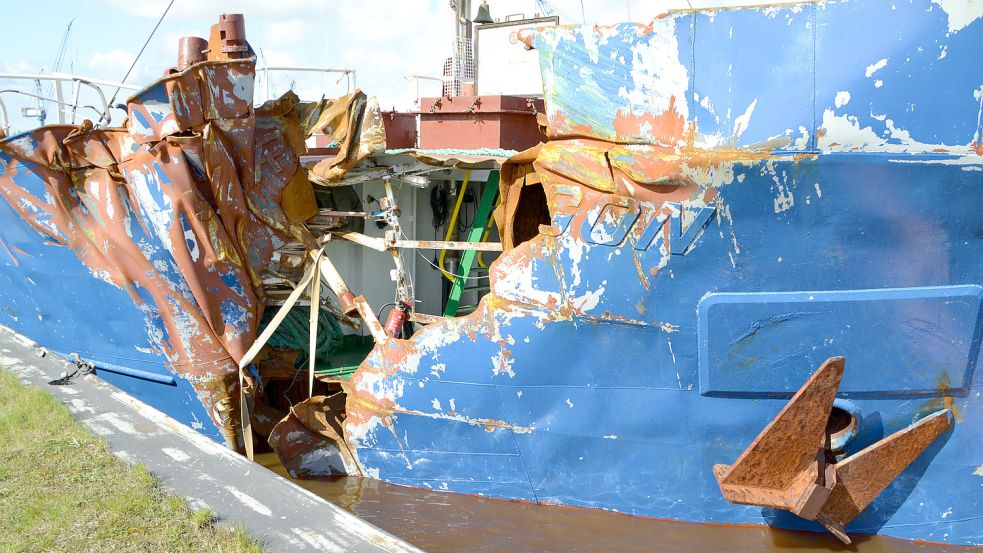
(753, 76)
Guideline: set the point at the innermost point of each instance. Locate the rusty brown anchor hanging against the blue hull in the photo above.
(788, 467)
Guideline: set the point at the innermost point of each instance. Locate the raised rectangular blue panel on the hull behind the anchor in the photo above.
(910, 341)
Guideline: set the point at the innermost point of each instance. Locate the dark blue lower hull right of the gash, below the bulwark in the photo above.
(630, 416)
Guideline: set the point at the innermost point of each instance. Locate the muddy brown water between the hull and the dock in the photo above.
(441, 522)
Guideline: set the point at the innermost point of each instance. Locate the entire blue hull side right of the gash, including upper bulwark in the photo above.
(735, 196)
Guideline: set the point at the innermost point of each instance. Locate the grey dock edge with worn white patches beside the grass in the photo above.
(281, 515)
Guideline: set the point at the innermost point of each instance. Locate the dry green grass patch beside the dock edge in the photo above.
(62, 490)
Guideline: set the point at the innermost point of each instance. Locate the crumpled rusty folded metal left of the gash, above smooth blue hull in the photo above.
(182, 208)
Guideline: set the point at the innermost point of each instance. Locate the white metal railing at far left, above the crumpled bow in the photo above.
(66, 109)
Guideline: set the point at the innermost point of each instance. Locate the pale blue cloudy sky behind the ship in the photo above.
(385, 41)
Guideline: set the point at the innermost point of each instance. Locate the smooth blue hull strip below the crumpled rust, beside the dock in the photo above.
(50, 297)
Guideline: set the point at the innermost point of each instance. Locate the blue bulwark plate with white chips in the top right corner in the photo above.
(913, 85)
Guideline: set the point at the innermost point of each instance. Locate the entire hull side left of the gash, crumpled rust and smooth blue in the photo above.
(141, 248)
